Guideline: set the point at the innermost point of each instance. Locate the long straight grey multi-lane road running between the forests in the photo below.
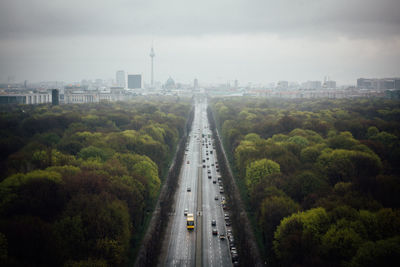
(198, 247)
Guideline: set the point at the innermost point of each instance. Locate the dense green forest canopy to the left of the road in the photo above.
(78, 181)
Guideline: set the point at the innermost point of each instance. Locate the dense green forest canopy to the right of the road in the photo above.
(321, 177)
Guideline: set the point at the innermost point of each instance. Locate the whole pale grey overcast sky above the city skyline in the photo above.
(256, 41)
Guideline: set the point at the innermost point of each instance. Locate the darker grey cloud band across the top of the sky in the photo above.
(351, 18)
